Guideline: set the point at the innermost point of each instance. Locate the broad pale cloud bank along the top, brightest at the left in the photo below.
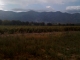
(24, 3)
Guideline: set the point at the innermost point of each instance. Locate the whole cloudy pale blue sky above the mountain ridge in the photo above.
(40, 5)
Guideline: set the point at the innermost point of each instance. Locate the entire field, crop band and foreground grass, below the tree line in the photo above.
(39, 42)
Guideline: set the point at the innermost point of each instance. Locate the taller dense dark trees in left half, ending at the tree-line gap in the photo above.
(18, 22)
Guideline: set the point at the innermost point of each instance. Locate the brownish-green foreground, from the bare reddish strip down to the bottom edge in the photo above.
(40, 46)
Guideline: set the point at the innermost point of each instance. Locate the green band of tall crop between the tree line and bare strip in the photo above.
(36, 29)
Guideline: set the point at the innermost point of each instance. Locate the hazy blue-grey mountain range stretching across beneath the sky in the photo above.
(54, 17)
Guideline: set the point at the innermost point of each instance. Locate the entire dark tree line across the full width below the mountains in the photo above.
(18, 22)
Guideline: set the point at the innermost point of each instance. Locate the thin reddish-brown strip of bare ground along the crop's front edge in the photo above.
(34, 34)
